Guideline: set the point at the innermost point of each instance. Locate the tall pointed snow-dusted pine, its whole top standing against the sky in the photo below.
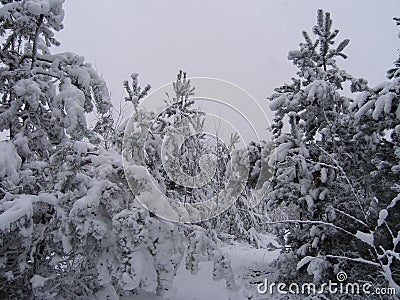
(306, 173)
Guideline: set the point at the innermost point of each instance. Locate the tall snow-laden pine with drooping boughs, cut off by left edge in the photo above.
(44, 102)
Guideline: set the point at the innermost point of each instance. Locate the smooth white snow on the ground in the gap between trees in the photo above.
(249, 265)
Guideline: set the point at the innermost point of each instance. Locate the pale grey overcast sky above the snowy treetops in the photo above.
(244, 42)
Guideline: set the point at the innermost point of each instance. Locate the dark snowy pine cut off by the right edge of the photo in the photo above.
(377, 119)
